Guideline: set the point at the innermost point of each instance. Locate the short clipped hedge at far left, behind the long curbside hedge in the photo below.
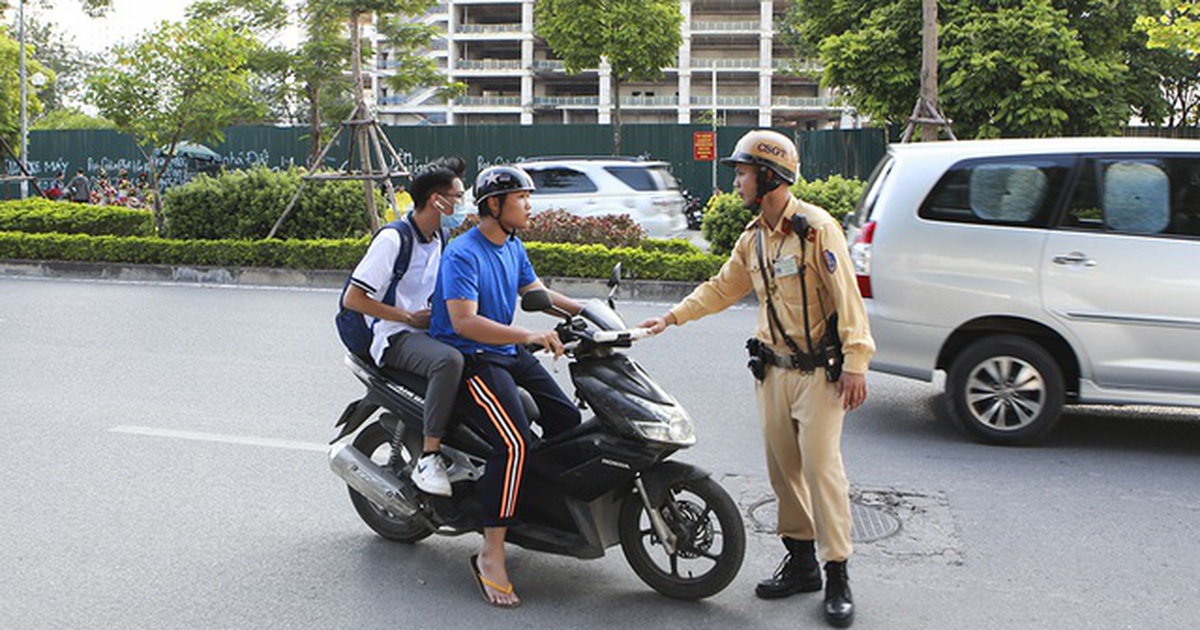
(46, 217)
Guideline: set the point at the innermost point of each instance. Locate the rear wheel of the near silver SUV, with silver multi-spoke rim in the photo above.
(1006, 389)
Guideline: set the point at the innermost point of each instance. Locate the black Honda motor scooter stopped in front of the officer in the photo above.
(604, 483)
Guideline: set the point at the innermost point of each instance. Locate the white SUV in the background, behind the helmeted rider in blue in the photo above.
(610, 187)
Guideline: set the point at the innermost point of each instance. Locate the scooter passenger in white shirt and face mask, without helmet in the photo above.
(400, 331)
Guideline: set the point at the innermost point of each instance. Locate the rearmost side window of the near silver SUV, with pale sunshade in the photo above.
(1016, 191)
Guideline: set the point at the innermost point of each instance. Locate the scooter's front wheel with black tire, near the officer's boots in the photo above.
(710, 541)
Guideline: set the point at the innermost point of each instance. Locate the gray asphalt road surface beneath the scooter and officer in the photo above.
(165, 469)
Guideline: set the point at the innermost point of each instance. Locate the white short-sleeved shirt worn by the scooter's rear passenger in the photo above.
(415, 291)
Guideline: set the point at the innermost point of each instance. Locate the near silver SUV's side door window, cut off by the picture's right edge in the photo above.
(1141, 196)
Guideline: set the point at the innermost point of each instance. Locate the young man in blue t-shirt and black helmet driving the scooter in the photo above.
(483, 274)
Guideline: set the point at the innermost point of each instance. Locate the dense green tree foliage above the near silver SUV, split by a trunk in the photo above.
(1007, 68)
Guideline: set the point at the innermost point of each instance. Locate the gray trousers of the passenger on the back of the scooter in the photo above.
(439, 363)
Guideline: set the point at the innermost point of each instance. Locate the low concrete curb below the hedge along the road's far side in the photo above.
(584, 289)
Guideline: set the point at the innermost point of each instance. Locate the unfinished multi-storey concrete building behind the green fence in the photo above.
(730, 53)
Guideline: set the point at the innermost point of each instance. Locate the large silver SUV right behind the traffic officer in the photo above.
(1036, 273)
